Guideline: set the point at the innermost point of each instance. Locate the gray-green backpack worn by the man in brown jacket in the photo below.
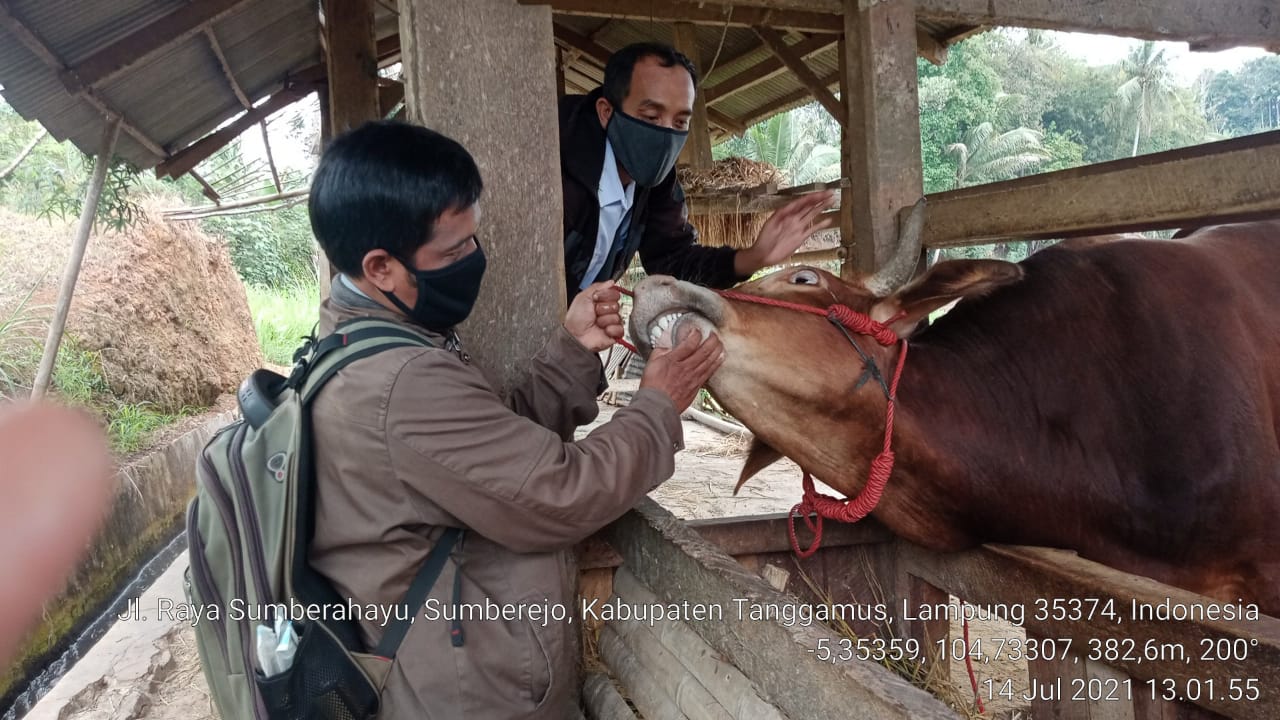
(249, 530)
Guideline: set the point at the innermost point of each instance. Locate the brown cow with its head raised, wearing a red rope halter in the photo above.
(1118, 399)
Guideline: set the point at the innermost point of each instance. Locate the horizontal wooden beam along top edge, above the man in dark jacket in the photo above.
(735, 15)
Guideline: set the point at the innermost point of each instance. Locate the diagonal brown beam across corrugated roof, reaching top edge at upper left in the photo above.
(141, 44)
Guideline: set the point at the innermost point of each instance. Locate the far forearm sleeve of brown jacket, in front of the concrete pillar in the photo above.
(559, 389)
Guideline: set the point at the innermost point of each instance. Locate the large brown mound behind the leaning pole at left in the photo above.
(161, 304)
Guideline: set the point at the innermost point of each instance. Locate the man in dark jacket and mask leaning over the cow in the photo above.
(619, 151)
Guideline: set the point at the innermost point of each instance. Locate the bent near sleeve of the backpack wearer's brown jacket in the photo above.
(455, 445)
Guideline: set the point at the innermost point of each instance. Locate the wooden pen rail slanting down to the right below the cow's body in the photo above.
(1030, 580)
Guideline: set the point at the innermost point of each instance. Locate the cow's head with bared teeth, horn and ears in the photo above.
(792, 377)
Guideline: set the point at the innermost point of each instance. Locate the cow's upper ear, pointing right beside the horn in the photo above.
(944, 284)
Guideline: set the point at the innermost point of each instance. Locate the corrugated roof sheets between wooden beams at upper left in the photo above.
(175, 97)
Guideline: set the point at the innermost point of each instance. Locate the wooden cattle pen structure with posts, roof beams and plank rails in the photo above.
(166, 84)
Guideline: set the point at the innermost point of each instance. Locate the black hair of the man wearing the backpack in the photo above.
(383, 186)
